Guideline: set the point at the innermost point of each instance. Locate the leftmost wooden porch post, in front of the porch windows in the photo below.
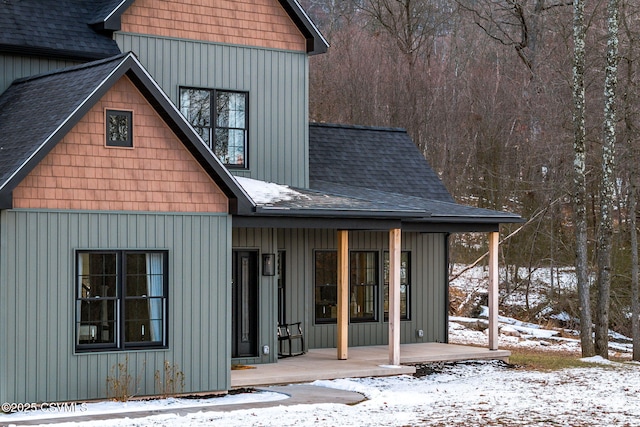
(343, 294)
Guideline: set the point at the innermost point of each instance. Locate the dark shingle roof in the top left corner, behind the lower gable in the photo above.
(55, 28)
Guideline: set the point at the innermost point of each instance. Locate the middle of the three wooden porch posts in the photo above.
(394, 296)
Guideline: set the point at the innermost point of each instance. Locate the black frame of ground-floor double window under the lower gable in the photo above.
(120, 345)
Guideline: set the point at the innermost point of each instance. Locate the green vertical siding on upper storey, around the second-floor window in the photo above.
(277, 84)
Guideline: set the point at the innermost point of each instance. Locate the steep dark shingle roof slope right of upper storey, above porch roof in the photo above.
(374, 158)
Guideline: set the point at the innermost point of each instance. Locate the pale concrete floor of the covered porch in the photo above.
(371, 361)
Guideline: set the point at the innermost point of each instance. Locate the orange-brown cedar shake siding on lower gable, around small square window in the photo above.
(158, 174)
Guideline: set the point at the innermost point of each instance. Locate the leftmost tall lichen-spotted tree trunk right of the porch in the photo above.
(580, 185)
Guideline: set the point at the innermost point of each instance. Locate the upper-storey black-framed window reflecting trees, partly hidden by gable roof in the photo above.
(220, 118)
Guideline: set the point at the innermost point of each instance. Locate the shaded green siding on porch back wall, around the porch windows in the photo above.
(428, 283)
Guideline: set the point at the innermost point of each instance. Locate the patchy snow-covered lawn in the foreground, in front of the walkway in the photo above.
(463, 394)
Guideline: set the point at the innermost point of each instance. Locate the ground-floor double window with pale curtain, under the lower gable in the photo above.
(121, 300)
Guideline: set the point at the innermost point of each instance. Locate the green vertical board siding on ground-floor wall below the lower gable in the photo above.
(37, 297)
